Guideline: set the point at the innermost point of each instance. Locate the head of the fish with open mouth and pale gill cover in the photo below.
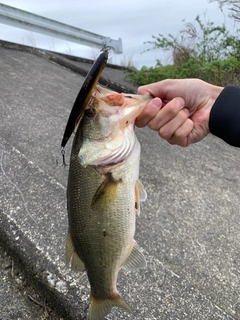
(107, 127)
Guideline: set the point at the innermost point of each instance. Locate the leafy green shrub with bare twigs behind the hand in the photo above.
(204, 51)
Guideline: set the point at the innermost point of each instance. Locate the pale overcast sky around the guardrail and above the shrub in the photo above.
(134, 21)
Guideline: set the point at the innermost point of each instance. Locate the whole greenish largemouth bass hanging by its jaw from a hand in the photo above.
(104, 194)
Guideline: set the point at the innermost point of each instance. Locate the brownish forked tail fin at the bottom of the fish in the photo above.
(98, 308)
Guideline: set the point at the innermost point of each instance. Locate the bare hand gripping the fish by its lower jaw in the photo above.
(180, 109)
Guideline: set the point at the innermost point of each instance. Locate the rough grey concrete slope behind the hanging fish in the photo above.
(189, 227)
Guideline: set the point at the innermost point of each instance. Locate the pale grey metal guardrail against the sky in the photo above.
(26, 20)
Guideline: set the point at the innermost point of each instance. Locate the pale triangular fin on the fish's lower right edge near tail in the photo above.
(136, 259)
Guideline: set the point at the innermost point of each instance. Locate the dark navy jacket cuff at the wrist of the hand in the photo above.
(224, 121)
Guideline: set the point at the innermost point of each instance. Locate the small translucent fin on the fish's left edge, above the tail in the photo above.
(72, 257)
